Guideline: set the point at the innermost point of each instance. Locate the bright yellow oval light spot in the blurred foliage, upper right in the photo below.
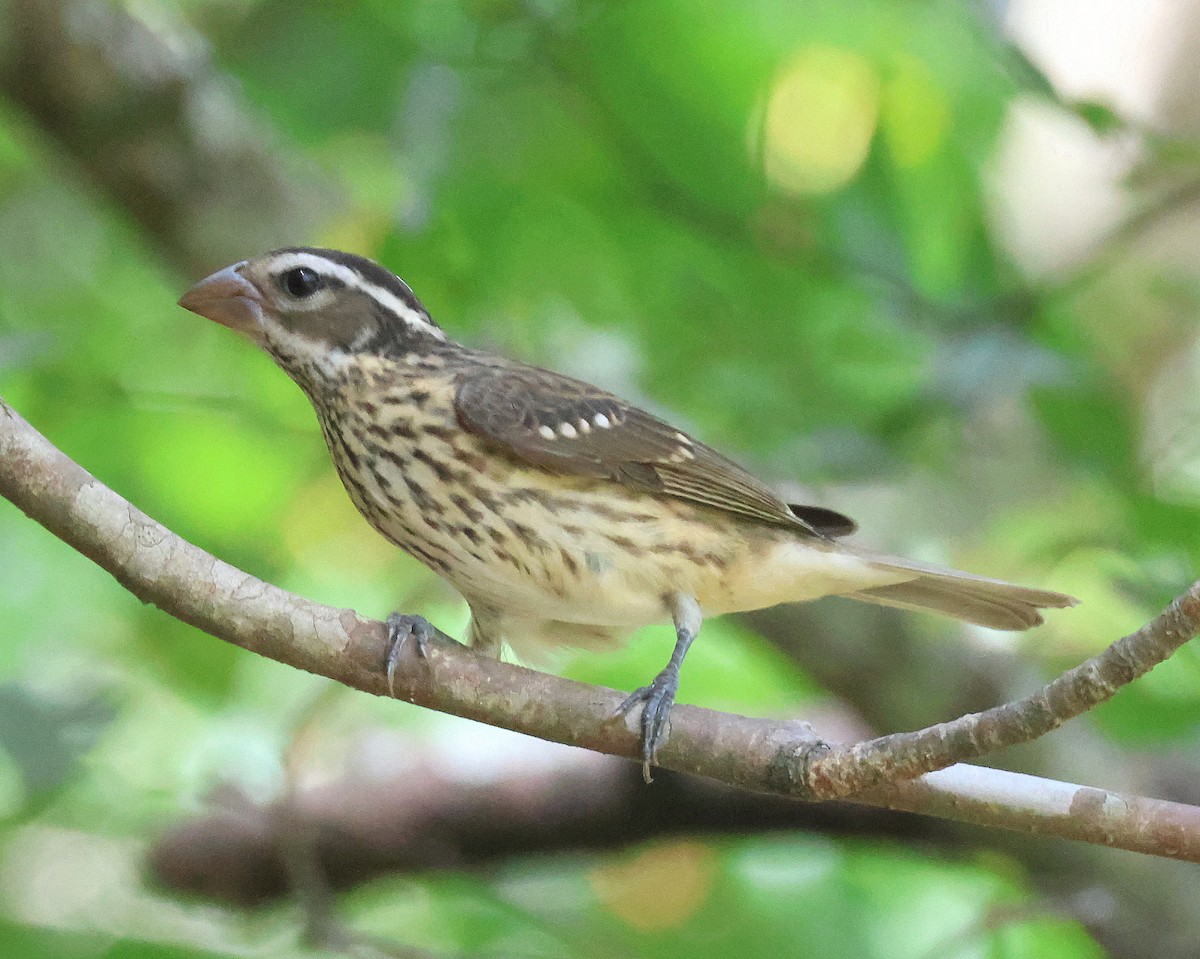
(819, 121)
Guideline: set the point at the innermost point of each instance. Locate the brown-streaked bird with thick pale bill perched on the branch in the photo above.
(563, 514)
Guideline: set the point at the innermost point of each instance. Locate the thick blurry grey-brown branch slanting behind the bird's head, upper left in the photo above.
(135, 109)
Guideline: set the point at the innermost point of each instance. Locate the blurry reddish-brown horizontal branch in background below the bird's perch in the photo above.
(428, 820)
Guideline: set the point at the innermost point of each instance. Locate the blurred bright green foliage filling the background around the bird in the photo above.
(770, 221)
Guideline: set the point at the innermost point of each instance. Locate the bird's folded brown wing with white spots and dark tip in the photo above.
(566, 425)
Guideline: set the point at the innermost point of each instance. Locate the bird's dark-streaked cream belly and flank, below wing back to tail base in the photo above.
(575, 550)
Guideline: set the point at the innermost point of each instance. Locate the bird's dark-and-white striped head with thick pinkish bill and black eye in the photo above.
(307, 305)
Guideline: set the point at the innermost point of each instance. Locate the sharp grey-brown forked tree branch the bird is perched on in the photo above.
(769, 757)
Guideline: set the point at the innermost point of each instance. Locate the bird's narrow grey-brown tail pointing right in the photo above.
(964, 596)
